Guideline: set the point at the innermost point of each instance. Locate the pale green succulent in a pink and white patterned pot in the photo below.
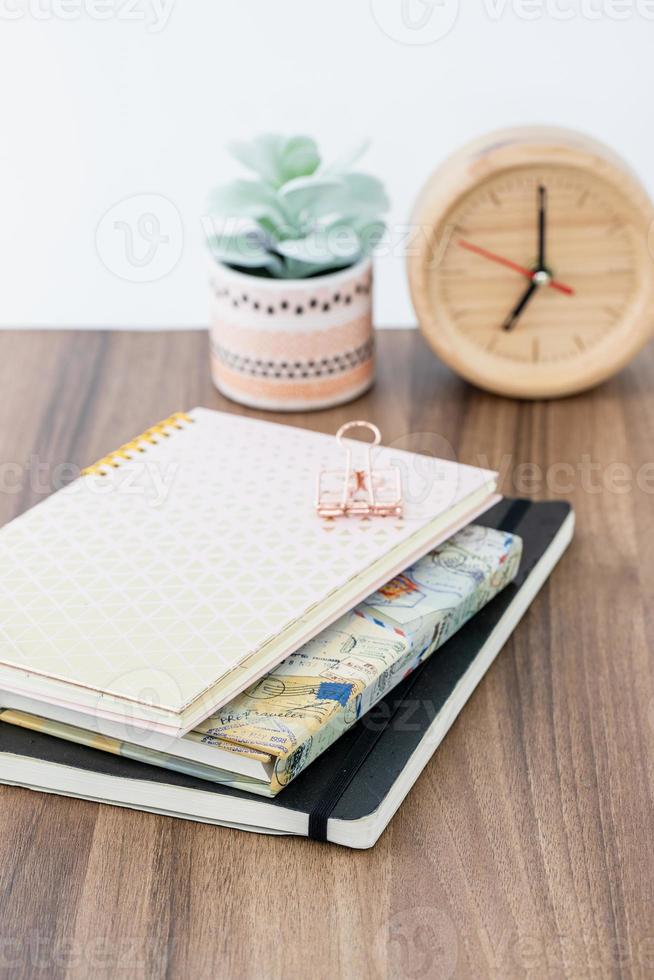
(291, 277)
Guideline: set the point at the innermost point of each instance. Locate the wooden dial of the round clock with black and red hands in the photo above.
(589, 275)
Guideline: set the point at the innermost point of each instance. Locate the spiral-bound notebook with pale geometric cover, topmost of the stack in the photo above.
(189, 562)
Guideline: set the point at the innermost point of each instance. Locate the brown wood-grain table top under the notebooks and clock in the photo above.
(525, 848)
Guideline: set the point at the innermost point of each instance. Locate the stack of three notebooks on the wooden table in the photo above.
(181, 631)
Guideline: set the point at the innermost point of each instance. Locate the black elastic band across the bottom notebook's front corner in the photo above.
(372, 730)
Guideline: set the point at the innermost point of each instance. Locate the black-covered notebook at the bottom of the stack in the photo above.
(349, 795)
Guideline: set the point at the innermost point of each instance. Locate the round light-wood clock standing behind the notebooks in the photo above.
(531, 272)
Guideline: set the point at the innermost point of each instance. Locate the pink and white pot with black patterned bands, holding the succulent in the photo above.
(292, 345)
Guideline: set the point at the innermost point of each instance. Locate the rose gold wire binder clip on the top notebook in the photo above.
(359, 492)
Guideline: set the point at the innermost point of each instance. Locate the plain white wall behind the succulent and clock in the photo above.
(109, 101)
